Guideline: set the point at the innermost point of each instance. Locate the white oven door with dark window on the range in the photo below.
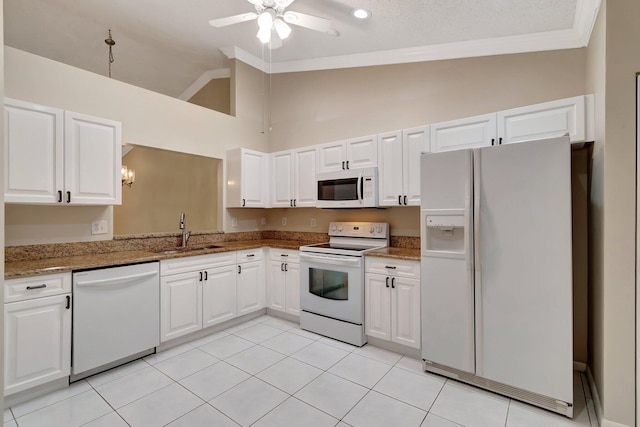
(332, 286)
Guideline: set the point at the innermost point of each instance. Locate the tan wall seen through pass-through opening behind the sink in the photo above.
(168, 183)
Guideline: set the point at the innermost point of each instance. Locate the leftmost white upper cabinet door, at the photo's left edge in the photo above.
(33, 153)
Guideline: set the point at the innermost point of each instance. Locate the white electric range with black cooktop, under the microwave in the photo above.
(332, 280)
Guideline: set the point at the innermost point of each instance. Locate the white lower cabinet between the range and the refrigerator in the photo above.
(392, 301)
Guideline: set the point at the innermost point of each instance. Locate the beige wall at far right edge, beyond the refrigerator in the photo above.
(614, 199)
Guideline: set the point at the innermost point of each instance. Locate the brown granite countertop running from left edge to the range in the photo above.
(18, 269)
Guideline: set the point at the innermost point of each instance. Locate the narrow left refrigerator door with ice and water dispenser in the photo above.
(447, 291)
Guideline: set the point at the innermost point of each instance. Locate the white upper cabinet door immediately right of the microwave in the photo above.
(390, 169)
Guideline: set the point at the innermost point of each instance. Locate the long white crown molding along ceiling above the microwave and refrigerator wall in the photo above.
(576, 37)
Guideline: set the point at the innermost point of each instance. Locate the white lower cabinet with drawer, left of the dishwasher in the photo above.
(37, 332)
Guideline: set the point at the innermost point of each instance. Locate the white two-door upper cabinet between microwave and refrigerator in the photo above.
(399, 166)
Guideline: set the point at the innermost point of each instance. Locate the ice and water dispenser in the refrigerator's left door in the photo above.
(443, 232)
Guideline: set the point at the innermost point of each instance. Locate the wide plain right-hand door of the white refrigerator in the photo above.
(523, 266)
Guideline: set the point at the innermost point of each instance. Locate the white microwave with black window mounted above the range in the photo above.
(353, 188)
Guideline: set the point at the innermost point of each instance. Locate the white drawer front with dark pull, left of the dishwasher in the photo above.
(36, 287)
